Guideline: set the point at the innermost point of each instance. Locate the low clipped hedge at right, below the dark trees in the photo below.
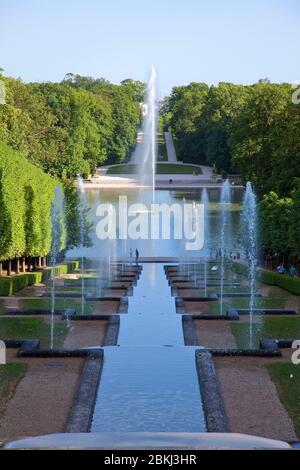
(289, 283)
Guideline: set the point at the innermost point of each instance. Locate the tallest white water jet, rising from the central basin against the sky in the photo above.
(145, 154)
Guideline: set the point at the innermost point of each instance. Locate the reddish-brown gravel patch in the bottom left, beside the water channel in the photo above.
(43, 398)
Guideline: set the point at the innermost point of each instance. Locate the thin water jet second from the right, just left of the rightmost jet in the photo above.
(224, 201)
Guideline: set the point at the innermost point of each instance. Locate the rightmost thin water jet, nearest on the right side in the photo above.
(249, 235)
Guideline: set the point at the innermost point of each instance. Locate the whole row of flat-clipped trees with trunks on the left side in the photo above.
(40, 215)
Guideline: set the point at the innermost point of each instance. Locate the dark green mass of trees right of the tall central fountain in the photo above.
(252, 130)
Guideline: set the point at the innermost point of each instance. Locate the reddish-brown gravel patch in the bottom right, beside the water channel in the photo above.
(251, 400)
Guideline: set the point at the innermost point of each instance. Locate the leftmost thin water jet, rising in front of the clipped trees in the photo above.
(57, 244)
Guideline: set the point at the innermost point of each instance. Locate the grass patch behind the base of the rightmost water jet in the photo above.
(266, 327)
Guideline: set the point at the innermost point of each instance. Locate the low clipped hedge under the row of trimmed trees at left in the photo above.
(10, 285)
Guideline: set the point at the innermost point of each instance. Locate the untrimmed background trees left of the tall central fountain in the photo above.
(71, 127)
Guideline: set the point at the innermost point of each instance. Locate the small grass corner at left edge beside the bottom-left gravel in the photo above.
(10, 375)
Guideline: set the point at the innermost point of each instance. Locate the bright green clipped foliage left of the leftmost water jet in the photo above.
(26, 195)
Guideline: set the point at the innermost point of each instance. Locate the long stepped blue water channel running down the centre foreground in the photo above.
(149, 383)
